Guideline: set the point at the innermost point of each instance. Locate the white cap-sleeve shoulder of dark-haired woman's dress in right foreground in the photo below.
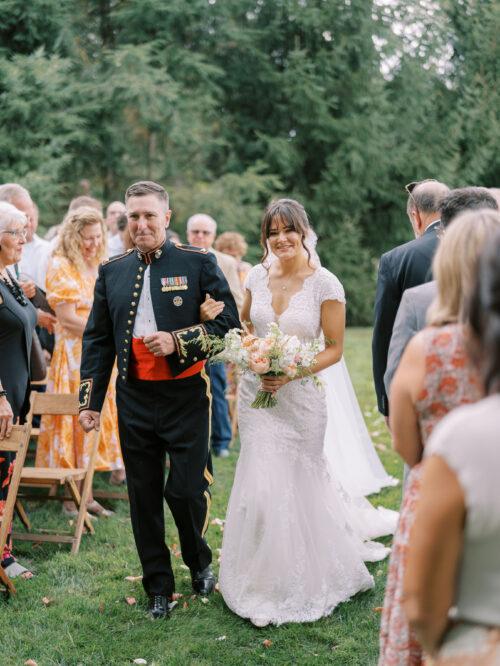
(458, 440)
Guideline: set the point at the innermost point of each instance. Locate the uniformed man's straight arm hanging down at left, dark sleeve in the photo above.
(98, 351)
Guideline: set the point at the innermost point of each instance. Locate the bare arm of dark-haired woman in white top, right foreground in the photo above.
(434, 553)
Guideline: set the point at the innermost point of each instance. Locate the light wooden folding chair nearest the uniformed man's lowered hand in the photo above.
(54, 478)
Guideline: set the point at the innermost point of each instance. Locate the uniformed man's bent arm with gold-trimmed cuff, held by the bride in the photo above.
(189, 347)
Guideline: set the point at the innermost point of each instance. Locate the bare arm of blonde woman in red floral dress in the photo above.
(406, 385)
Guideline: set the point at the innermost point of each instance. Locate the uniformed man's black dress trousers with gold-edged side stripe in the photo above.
(155, 418)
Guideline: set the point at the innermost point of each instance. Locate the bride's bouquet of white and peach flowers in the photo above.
(275, 354)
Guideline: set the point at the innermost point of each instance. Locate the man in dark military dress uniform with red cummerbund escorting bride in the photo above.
(146, 314)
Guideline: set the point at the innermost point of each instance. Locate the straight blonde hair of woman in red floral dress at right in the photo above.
(455, 263)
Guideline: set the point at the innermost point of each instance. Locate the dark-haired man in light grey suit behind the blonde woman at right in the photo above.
(415, 302)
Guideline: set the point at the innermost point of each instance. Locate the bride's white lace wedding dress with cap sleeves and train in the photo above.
(294, 541)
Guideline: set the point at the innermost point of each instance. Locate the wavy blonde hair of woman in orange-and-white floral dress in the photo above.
(70, 240)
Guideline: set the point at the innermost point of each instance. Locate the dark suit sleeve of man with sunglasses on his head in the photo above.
(387, 299)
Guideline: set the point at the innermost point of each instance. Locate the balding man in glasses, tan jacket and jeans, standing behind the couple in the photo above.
(201, 230)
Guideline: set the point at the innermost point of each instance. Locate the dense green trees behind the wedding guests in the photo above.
(338, 103)
